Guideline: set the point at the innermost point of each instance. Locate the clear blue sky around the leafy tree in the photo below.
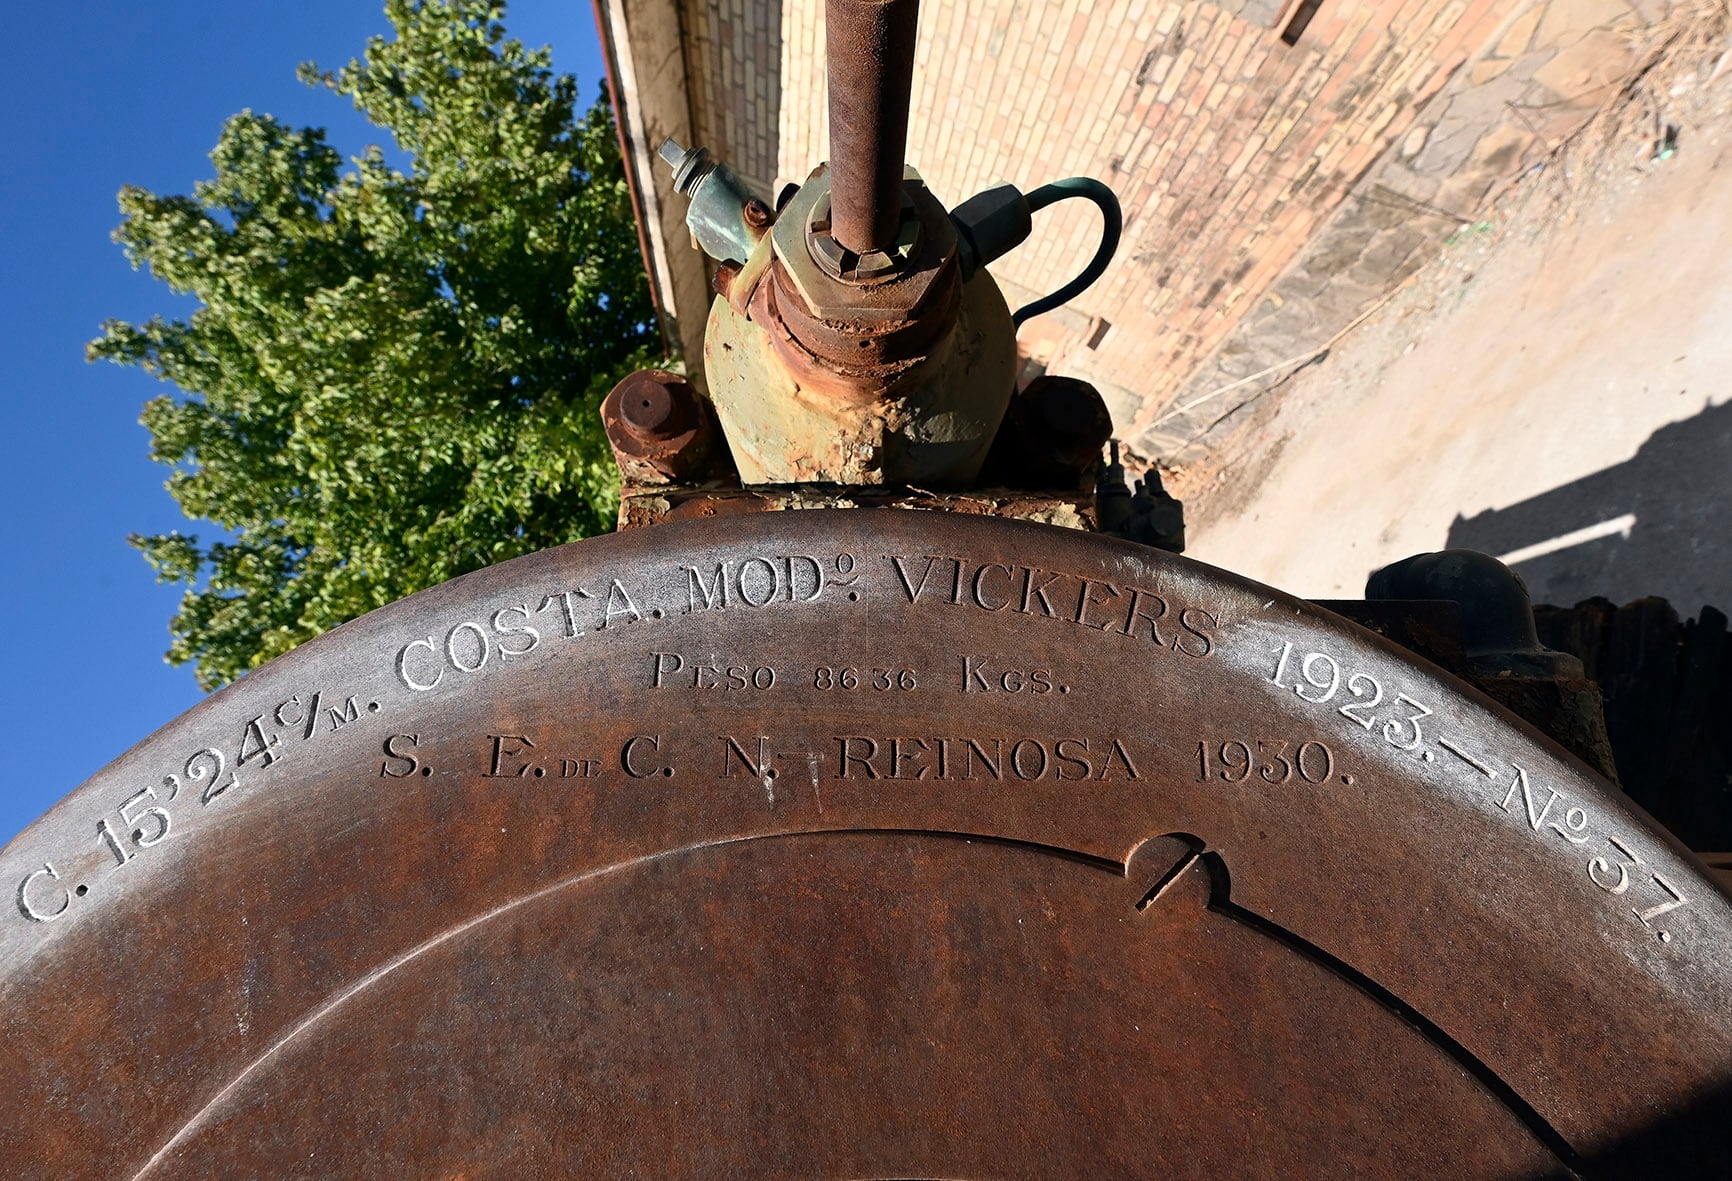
(131, 94)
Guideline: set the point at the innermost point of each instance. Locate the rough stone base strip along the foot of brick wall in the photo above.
(1544, 77)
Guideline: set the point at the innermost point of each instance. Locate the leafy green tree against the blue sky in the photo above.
(391, 377)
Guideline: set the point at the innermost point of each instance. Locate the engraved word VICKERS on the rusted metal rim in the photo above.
(1094, 603)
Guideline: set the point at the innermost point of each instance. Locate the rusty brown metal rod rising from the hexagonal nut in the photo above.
(870, 58)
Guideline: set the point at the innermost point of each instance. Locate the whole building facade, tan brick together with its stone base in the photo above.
(1281, 164)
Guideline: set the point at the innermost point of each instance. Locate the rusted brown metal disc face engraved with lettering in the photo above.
(856, 844)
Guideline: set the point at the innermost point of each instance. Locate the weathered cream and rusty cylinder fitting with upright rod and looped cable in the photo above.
(860, 340)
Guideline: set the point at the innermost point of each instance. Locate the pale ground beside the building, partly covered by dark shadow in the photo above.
(1554, 389)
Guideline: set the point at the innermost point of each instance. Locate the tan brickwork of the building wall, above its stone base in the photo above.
(1231, 150)
